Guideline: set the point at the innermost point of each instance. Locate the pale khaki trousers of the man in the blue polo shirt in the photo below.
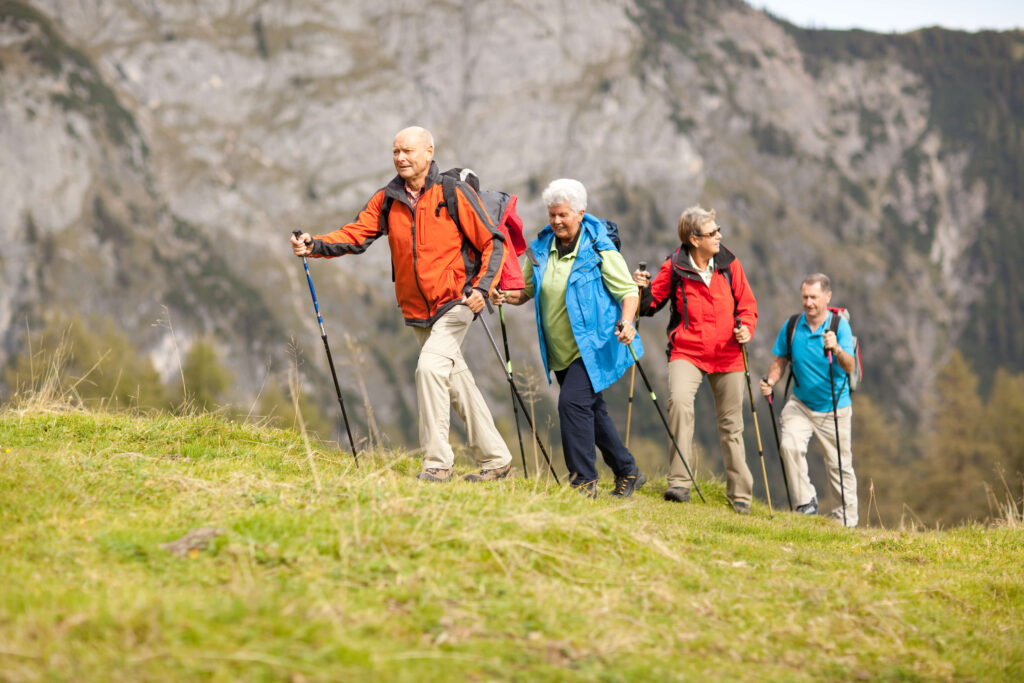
(799, 423)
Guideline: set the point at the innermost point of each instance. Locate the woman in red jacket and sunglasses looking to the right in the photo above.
(713, 313)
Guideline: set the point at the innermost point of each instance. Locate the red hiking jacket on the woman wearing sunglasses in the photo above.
(703, 318)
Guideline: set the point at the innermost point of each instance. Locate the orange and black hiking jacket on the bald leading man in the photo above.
(435, 264)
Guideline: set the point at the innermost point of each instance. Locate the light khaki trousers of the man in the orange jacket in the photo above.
(444, 381)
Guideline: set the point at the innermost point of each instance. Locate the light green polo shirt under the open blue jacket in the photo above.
(563, 349)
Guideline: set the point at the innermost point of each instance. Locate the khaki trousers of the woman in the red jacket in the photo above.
(685, 380)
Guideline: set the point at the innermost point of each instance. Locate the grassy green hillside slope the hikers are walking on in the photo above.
(378, 577)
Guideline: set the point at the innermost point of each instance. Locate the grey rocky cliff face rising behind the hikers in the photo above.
(158, 154)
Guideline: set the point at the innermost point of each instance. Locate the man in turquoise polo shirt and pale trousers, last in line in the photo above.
(809, 411)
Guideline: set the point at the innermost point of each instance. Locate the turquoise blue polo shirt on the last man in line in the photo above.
(812, 366)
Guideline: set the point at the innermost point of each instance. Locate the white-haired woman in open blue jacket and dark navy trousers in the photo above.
(583, 291)
